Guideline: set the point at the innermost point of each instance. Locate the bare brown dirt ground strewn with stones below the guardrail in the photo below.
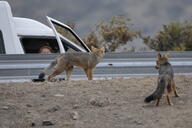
(114, 103)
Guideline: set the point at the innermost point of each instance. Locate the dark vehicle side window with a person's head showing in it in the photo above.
(35, 44)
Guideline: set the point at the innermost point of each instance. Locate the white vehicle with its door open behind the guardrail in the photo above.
(22, 35)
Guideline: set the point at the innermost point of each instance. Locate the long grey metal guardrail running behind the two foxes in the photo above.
(113, 65)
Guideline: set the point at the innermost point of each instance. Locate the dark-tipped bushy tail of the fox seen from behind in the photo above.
(158, 92)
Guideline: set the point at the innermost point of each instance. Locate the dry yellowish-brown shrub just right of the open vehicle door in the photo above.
(111, 34)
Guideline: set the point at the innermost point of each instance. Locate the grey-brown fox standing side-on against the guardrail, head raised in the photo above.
(66, 62)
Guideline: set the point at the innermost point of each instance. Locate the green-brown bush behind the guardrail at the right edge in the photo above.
(173, 37)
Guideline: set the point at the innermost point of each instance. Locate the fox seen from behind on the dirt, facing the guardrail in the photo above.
(165, 81)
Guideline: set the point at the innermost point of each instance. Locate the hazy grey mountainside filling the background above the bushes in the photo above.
(146, 15)
